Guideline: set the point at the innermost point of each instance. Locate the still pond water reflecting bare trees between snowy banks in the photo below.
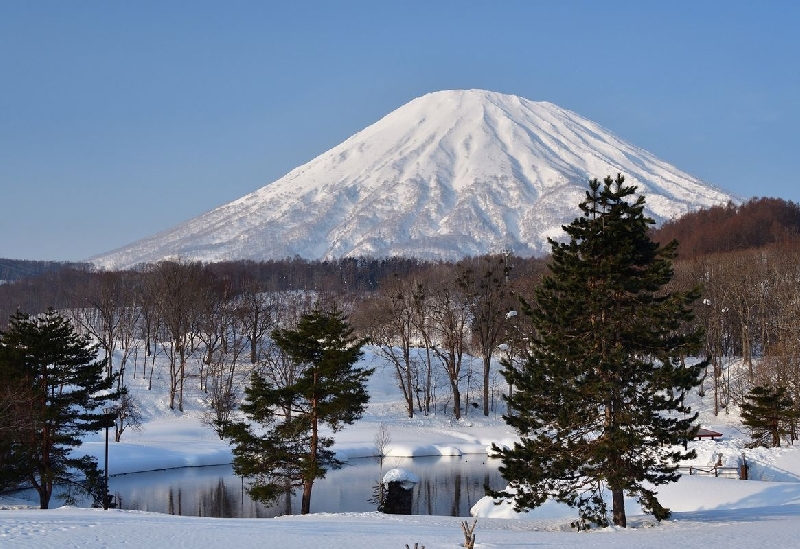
(448, 486)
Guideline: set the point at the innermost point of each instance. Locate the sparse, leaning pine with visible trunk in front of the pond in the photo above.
(327, 388)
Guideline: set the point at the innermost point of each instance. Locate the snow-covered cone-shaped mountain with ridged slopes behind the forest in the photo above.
(450, 174)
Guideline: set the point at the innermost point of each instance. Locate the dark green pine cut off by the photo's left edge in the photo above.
(62, 387)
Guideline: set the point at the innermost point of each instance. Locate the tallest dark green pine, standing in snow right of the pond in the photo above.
(599, 405)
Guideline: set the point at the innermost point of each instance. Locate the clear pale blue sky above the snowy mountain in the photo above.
(121, 119)
